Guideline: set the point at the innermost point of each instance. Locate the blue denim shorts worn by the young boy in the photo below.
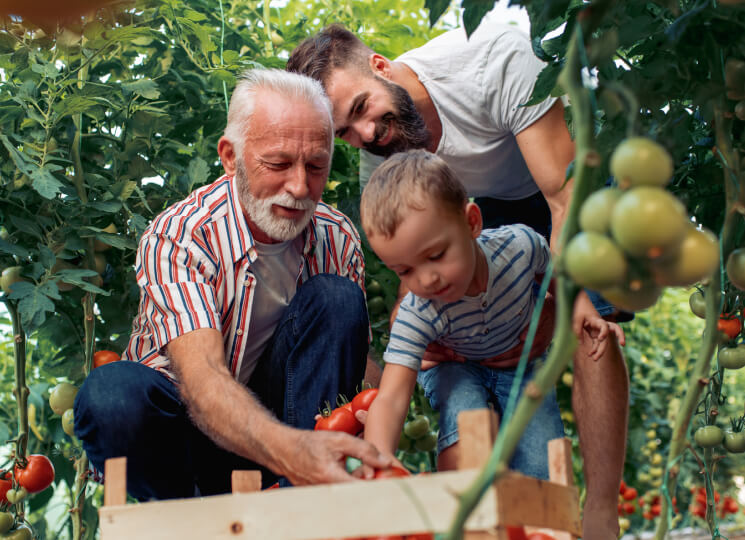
(452, 387)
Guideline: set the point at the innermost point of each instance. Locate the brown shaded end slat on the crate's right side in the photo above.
(522, 500)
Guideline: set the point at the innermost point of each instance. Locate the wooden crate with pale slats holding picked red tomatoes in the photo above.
(387, 506)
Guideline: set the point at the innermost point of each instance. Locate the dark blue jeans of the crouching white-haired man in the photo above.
(318, 351)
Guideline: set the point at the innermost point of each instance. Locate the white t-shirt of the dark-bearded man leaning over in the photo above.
(477, 86)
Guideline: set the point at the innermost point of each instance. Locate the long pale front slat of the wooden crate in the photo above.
(362, 508)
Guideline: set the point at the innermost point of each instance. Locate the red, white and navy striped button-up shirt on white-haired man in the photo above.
(194, 271)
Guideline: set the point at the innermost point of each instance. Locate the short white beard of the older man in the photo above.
(260, 212)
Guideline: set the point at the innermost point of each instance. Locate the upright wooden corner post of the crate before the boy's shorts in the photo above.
(477, 430)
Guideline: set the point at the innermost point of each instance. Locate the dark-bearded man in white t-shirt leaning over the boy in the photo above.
(462, 98)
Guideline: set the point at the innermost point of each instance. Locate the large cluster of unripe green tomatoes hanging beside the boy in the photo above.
(637, 238)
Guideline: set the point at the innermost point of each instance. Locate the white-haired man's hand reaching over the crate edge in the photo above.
(318, 457)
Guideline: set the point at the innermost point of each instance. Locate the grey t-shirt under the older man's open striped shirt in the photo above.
(276, 272)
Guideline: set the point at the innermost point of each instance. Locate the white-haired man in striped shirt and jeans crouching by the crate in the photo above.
(251, 316)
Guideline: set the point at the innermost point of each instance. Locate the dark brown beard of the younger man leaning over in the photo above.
(411, 131)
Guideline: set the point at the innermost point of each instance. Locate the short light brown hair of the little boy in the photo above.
(408, 180)
